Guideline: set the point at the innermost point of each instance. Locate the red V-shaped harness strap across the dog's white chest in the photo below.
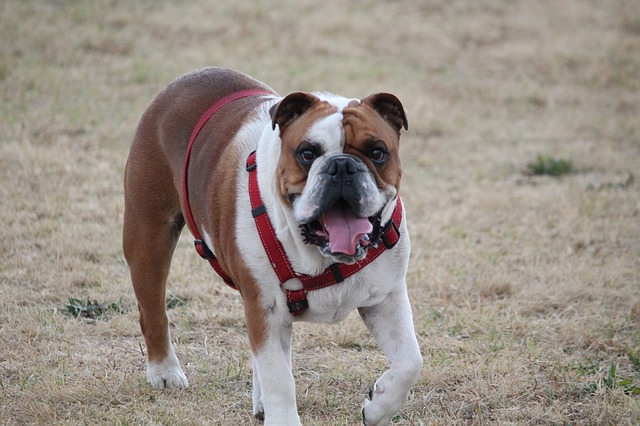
(335, 273)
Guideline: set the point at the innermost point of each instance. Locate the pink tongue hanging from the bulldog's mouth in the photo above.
(345, 229)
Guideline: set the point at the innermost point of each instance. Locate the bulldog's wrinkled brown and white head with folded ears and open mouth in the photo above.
(339, 167)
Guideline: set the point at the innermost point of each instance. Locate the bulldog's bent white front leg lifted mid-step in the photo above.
(391, 324)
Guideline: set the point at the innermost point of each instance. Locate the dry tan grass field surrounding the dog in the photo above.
(525, 282)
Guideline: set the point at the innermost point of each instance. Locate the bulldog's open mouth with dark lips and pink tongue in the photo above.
(340, 233)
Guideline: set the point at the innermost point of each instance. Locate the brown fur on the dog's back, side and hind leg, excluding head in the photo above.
(153, 217)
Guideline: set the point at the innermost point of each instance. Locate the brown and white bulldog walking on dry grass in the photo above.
(328, 174)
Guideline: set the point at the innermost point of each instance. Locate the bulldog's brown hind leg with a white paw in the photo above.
(152, 224)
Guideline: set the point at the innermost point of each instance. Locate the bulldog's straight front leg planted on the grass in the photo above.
(274, 393)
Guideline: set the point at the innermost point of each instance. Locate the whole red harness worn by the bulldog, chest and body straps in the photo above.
(336, 273)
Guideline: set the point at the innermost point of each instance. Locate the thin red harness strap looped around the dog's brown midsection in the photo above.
(201, 246)
